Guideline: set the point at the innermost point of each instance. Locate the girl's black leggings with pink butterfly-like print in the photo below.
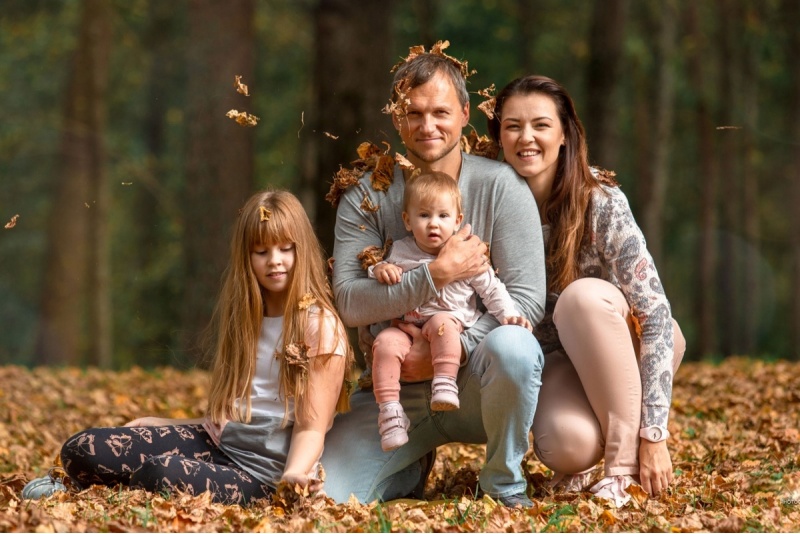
(158, 459)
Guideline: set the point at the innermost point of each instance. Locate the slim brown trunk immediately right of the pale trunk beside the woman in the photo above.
(705, 318)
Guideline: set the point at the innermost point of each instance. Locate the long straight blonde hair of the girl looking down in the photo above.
(268, 218)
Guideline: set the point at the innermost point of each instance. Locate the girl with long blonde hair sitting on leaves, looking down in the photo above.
(278, 377)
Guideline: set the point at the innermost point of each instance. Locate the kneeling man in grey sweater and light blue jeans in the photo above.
(501, 367)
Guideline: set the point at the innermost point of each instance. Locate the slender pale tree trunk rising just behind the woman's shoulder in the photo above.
(653, 205)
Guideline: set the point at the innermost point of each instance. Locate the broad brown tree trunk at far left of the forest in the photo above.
(77, 228)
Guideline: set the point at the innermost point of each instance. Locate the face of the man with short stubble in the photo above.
(431, 129)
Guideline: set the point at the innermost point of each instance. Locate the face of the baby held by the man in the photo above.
(432, 222)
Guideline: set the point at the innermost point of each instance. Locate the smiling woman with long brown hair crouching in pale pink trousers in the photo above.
(610, 342)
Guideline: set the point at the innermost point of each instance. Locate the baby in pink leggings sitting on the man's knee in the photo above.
(432, 213)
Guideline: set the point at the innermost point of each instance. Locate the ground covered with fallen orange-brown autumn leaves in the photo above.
(735, 448)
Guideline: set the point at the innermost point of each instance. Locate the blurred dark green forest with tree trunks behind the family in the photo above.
(117, 156)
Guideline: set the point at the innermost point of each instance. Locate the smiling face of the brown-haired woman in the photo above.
(531, 135)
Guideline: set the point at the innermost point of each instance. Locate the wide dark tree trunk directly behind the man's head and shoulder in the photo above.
(352, 84)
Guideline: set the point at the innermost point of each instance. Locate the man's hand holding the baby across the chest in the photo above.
(462, 256)
